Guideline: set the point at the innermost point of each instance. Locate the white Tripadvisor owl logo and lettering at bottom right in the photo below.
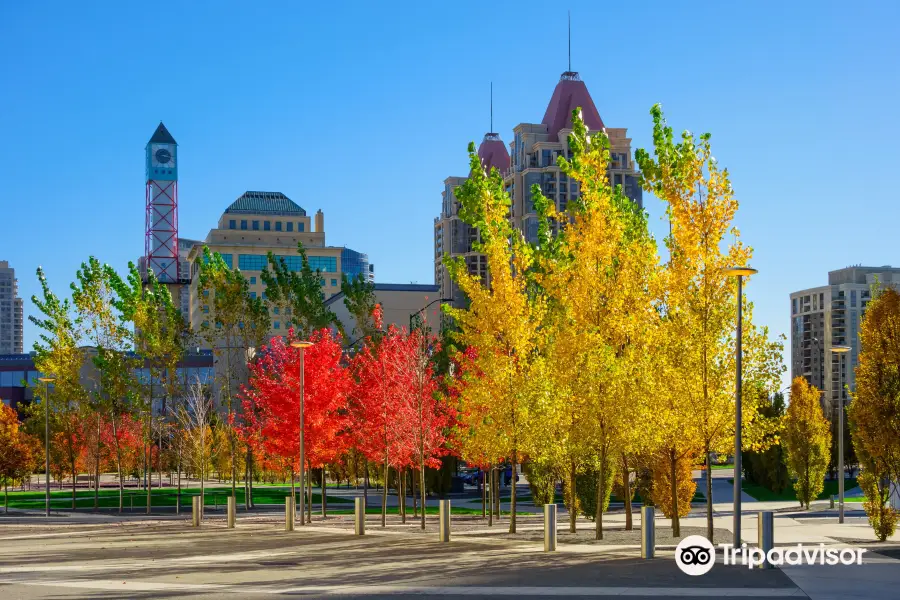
(695, 555)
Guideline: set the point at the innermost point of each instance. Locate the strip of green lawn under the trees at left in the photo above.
(109, 498)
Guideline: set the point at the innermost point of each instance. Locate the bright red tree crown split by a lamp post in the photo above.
(271, 403)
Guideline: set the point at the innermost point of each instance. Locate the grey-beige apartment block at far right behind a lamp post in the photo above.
(830, 315)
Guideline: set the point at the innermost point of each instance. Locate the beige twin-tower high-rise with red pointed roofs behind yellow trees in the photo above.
(532, 160)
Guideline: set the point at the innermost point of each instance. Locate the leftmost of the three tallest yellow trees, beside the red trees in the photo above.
(500, 324)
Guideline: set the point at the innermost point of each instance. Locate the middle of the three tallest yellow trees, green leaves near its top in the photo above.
(595, 263)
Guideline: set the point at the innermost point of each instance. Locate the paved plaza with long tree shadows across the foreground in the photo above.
(105, 555)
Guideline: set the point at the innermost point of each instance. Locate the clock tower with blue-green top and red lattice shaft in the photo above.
(161, 237)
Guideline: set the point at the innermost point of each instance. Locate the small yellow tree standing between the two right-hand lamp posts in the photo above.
(806, 439)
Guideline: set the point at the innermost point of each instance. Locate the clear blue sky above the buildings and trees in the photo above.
(363, 109)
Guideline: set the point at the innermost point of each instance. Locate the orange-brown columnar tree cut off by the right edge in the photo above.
(874, 412)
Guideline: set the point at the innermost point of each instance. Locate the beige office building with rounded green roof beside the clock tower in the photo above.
(251, 227)
